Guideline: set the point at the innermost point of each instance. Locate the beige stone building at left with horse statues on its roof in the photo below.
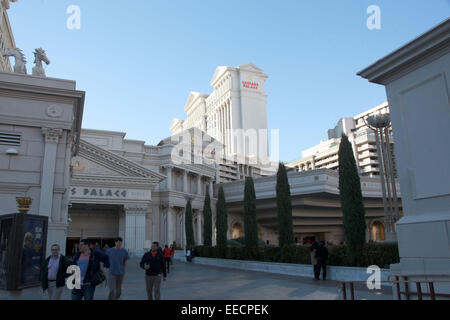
(40, 120)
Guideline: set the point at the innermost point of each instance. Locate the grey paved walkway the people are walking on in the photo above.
(189, 281)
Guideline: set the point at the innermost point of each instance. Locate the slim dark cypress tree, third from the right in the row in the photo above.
(250, 223)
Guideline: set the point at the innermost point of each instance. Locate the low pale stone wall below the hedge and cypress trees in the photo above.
(300, 270)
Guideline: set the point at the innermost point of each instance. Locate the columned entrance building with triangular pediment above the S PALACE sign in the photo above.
(137, 191)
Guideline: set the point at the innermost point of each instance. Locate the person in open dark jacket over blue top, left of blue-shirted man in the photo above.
(91, 274)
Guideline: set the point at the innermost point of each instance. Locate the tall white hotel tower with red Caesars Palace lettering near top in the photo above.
(239, 101)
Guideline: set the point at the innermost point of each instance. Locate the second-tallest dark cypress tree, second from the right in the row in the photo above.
(284, 208)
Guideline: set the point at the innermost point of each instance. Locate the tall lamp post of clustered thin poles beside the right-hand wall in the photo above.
(380, 124)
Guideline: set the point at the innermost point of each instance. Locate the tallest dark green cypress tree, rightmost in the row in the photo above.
(353, 212)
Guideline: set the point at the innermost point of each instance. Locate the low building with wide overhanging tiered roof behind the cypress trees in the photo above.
(316, 207)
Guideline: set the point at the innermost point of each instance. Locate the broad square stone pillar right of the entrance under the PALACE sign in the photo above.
(135, 228)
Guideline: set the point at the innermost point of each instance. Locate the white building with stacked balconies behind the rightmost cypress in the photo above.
(362, 138)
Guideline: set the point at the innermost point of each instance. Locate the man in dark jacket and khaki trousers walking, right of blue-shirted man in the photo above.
(153, 264)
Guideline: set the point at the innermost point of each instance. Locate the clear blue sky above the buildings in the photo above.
(138, 60)
